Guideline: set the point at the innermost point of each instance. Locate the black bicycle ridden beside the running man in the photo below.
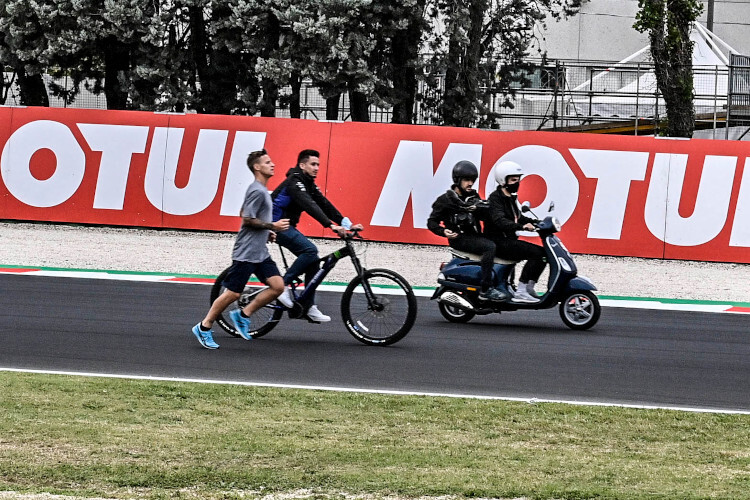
(378, 306)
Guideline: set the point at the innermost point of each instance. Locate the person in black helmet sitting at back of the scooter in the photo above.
(457, 215)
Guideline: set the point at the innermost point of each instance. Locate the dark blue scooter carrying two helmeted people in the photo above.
(459, 284)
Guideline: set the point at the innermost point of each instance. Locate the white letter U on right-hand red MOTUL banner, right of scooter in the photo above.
(711, 205)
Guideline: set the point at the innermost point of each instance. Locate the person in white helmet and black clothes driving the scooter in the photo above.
(505, 220)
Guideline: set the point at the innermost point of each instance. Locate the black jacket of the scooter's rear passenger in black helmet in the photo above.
(459, 214)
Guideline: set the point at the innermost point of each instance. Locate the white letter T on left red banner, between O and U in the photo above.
(117, 143)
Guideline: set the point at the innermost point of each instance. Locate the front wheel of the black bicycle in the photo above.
(380, 308)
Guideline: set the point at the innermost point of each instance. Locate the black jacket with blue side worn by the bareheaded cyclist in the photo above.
(299, 193)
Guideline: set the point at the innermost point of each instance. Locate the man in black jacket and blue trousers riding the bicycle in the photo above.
(298, 193)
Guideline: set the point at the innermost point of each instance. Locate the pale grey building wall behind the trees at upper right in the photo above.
(603, 31)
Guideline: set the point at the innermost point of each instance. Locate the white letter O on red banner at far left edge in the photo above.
(16, 163)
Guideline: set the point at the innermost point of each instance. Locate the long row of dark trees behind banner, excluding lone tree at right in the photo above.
(234, 56)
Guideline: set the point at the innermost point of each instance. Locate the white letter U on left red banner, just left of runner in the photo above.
(204, 174)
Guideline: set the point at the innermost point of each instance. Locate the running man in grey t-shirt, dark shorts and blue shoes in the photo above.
(249, 256)
